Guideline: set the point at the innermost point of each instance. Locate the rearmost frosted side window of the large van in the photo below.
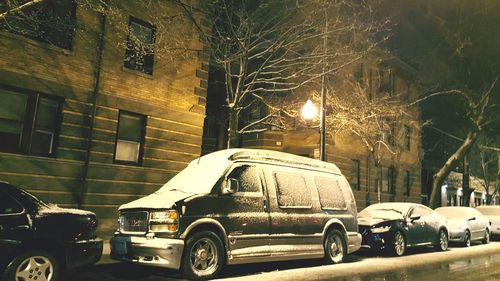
(330, 193)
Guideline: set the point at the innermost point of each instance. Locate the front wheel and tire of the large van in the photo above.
(203, 256)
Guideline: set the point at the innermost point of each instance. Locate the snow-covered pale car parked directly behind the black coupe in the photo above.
(466, 224)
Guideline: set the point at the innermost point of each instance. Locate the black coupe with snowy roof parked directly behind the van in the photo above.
(394, 227)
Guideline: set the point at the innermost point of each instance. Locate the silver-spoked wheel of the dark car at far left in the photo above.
(33, 265)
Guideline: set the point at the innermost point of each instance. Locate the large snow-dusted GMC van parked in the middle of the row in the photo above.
(240, 206)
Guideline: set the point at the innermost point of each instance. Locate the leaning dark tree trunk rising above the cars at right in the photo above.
(442, 174)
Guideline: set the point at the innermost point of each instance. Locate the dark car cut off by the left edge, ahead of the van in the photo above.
(39, 241)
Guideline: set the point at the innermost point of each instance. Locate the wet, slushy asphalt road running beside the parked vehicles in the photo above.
(479, 262)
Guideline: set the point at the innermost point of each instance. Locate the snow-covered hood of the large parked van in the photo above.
(157, 200)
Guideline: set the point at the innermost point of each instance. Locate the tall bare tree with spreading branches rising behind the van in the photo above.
(266, 49)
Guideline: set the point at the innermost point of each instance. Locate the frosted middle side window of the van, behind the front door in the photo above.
(292, 190)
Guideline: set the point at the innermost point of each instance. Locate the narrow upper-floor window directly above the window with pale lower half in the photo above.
(139, 54)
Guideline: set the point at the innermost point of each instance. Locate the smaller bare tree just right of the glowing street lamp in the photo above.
(376, 118)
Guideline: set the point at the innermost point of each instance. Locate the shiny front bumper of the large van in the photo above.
(159, 252)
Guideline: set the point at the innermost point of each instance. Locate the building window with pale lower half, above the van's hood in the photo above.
(130, 138)
